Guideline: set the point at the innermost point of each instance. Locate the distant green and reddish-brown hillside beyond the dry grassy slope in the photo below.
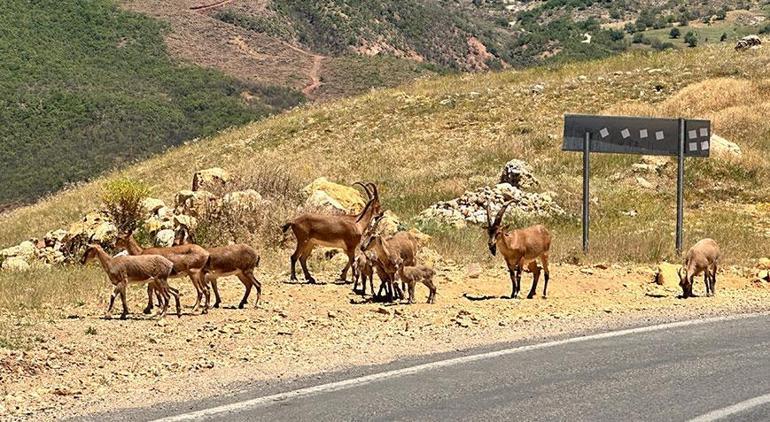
(88, 88)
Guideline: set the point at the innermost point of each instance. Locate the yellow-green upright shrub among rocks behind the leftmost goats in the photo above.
(122, 200)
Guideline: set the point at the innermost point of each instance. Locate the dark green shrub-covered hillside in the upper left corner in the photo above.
(86, 87)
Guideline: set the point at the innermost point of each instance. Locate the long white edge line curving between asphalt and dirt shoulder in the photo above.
(341, 385)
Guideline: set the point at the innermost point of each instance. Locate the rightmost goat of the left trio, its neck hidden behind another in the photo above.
(240, 260)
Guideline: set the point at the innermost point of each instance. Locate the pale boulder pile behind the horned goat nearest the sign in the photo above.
(471, 207)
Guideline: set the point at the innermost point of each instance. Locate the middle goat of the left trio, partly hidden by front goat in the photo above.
(189, 260)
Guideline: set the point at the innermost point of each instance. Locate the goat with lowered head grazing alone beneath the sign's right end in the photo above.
(702, 257)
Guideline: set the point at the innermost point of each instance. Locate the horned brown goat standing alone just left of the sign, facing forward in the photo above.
(519, 248)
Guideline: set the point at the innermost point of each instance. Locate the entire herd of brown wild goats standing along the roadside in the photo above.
(392, 258)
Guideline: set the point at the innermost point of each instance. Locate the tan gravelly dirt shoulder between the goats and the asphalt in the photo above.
(69, 362)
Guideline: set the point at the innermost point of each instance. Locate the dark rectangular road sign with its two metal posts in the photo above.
(636, 135)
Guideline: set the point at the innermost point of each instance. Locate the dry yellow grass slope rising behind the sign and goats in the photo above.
(434, 139)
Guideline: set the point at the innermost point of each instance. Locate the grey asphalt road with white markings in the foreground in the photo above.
(674, 373)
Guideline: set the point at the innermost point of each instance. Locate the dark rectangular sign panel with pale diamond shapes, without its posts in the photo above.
(636, 135)
